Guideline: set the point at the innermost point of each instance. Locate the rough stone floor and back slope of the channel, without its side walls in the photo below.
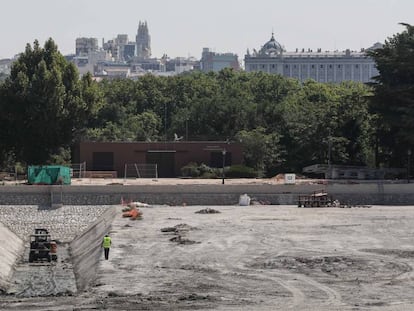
(64, 224)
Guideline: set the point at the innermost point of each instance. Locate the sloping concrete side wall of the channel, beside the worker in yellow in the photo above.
(86, 250)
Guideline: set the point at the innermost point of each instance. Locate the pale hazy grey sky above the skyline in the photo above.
(184, 27)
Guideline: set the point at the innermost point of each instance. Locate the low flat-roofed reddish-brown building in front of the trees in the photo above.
(170, 157)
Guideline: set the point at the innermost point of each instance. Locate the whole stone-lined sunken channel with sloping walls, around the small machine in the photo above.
(77, 230)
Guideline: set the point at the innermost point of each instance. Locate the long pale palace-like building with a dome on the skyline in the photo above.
(321, 66)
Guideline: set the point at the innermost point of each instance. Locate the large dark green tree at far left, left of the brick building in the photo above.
(43, 105)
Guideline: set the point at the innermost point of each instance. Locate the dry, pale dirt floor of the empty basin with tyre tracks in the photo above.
(251, 258)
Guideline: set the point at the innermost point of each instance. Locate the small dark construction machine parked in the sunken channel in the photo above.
(42, 247)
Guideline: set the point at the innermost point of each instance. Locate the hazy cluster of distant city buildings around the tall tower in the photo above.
(120, 57)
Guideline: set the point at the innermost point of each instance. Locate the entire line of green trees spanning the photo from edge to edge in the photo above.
(284, 125)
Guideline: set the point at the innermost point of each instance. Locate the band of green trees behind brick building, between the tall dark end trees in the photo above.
(283, 125)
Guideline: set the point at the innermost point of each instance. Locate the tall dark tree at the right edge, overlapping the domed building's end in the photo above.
(393, 99)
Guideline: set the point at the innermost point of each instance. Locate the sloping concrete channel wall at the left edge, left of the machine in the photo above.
(11, 248)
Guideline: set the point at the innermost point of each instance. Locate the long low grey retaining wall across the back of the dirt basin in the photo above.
(369, 193)
